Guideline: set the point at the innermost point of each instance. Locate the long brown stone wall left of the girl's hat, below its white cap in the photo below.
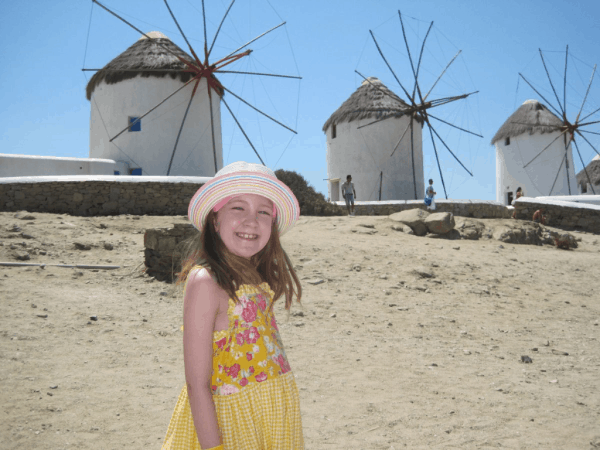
(98, 198)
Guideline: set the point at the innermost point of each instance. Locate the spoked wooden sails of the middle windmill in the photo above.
(416, 106)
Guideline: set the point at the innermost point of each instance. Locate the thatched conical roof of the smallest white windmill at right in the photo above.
(531, 117)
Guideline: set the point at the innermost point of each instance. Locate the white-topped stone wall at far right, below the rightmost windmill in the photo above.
(565, 215)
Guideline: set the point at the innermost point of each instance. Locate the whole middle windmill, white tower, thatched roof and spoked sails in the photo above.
(376, 136)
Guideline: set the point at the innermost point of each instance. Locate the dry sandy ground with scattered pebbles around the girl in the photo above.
(384, 358)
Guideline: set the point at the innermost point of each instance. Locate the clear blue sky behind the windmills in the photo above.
(45, 112)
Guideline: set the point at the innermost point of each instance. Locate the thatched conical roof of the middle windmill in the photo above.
(371, 100)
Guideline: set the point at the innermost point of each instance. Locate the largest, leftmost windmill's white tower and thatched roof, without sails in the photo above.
(134, 83)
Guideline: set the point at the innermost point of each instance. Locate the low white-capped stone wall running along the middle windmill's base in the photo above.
(479, 209)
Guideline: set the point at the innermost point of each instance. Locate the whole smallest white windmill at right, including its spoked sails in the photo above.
(542, 140)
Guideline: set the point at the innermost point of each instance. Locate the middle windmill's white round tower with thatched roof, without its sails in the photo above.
(366, 153)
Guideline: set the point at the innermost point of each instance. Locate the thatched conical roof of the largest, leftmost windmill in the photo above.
(144, 58)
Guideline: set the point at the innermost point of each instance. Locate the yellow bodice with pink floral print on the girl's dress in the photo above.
(250, 350)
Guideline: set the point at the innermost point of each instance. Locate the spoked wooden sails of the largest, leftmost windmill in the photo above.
(199, 76)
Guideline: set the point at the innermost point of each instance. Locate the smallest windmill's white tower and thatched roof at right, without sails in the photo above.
(521, 160)
